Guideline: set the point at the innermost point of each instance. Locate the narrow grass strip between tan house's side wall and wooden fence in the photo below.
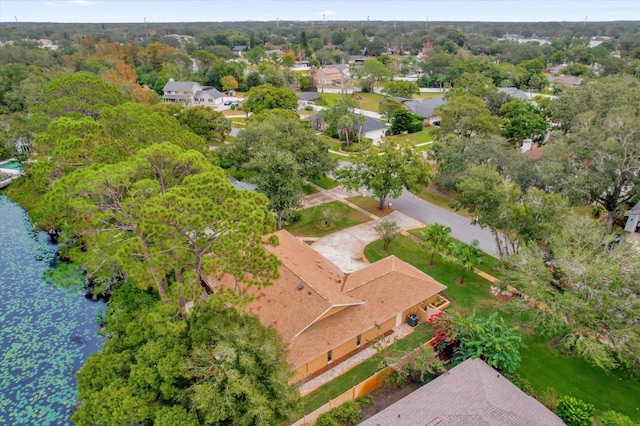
(422, 333)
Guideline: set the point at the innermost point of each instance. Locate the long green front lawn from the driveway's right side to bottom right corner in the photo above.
(542, 366)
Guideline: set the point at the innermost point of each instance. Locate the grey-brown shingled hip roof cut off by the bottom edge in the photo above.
(471, 393)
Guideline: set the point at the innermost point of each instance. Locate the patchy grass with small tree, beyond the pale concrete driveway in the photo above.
(307, 226)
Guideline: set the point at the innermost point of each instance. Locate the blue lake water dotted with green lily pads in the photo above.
(46, 332)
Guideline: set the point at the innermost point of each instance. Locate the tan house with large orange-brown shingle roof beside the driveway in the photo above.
(324, 314)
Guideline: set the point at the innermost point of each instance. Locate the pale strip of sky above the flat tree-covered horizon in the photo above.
(108, 11)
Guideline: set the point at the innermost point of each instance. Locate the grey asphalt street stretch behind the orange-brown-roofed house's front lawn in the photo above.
(461, 227)
